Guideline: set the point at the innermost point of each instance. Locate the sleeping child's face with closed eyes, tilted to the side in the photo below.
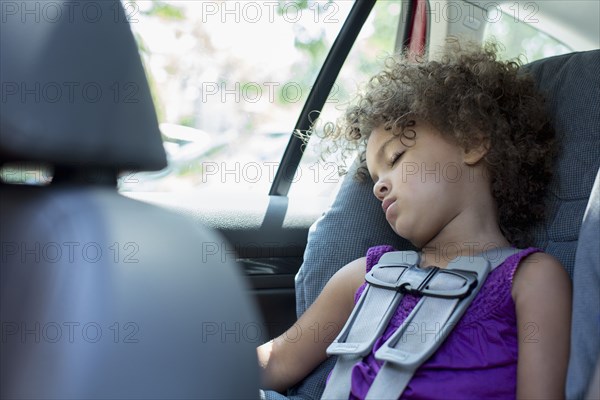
(422, 182)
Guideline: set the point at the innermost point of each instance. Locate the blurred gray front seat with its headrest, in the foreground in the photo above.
(102, 296)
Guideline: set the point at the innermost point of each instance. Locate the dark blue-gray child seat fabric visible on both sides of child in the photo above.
(355, 222)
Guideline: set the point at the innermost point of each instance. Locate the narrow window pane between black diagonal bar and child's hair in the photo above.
(318, 174)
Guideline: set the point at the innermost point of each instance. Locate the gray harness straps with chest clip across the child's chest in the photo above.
(446, 294)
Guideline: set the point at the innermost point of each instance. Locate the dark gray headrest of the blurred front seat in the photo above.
(74, 92)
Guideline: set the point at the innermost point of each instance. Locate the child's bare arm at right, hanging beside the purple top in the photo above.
(542, 295)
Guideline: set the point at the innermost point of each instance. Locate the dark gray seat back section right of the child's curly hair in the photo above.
(571, 84)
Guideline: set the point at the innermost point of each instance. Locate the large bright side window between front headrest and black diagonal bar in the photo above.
(229, 79)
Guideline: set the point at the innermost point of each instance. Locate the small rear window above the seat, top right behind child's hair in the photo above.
(518, 31)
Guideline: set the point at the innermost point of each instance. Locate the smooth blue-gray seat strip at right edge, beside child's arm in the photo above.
(585, 328)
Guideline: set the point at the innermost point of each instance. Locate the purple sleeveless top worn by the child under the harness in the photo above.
(478, 360)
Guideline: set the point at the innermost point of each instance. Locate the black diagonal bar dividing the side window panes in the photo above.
(318, 95)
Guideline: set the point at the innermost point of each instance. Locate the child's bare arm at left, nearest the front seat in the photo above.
(290, 357)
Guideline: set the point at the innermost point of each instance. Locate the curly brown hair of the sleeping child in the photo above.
(471, 98)
